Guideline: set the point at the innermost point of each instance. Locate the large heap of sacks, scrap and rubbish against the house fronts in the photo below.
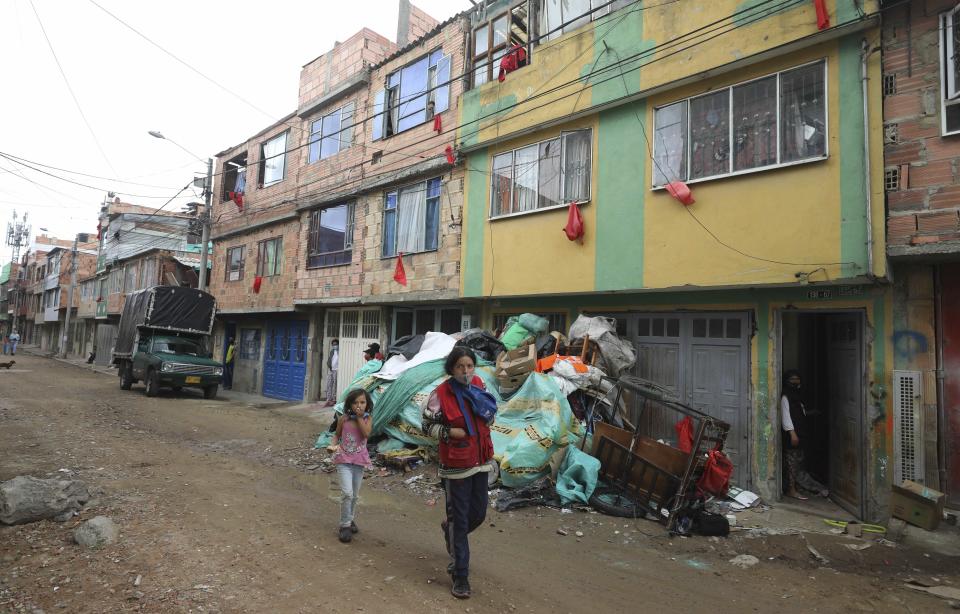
(570, 420)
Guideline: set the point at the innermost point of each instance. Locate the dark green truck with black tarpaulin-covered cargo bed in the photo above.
(162, 341)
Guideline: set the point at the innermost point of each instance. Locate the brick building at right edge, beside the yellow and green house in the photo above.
(921, 87)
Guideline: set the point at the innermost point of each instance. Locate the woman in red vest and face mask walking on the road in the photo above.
(459, 414)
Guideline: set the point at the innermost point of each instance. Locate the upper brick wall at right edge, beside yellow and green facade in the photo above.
(924, 205)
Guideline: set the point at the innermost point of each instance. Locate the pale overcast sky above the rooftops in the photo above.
(125, 87)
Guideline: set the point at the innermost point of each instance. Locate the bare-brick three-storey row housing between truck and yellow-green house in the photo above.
(366, 177)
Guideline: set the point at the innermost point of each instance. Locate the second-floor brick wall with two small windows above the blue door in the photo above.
(276, 292)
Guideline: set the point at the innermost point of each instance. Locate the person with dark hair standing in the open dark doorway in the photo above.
(793, 416)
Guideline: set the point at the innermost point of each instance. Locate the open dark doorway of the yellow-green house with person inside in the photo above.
(827, 349)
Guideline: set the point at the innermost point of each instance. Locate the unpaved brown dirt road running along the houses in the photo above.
(222, 508)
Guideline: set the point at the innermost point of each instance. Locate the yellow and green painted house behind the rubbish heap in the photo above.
(778, 264)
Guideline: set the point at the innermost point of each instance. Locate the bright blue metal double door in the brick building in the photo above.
(285, 360)
